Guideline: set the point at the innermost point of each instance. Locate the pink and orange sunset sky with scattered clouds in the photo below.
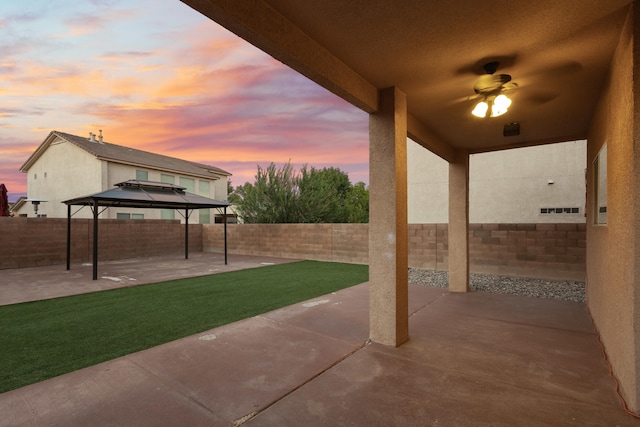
(158, 76)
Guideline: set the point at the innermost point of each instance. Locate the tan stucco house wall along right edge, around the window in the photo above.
(613, 255)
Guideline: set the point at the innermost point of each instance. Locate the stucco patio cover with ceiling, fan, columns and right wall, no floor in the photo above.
(421, 70)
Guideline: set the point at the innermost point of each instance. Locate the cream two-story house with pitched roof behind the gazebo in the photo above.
(66, 166)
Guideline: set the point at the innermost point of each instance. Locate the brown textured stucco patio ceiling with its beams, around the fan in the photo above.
(557, 51)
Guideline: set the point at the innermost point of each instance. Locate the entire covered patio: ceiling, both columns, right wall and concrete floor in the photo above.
(386, 352)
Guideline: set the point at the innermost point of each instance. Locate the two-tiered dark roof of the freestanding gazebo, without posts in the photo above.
(147, 194)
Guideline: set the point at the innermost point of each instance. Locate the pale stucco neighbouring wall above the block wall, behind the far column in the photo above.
(509, 186)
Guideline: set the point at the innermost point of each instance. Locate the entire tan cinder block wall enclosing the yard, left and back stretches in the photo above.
(554, 251)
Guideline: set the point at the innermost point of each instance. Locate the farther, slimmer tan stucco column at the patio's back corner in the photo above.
(459, 222)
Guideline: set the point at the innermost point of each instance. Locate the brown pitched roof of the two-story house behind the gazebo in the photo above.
(126, 155)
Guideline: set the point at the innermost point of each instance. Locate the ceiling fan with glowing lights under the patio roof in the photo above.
(491, 87)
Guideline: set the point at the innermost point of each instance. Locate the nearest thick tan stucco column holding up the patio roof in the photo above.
(388, 239)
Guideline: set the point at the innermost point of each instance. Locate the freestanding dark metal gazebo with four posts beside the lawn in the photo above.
(142, 194)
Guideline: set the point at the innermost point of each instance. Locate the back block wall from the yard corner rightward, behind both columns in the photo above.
(552, 251)
